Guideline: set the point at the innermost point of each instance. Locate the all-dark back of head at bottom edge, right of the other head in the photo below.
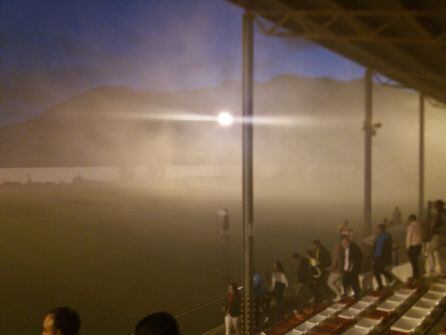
(160, 323)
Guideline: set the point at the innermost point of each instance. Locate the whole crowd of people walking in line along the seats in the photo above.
(321, 275)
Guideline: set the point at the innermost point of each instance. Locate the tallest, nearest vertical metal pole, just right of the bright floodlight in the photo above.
(248, 200)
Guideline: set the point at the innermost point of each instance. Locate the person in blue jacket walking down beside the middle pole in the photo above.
(382, 255)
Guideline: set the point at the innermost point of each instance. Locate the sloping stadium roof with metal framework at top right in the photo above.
(405, 40)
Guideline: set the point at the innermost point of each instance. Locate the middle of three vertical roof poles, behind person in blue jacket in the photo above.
(368, 133)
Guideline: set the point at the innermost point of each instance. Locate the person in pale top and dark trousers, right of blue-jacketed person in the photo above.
(414, 240)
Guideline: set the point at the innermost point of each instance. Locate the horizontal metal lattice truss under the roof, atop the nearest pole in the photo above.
(402, 27)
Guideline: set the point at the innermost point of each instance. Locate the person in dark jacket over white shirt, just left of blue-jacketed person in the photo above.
(351, 266)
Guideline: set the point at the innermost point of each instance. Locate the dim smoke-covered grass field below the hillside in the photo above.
(117, 254)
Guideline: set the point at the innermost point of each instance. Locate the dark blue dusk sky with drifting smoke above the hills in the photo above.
(52, 49)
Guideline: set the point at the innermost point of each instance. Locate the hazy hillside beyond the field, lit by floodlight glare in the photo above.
(309, 132)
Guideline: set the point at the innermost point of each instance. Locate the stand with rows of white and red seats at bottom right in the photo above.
(399, 310)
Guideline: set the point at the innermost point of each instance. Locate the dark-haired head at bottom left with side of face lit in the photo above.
(61, 321)
